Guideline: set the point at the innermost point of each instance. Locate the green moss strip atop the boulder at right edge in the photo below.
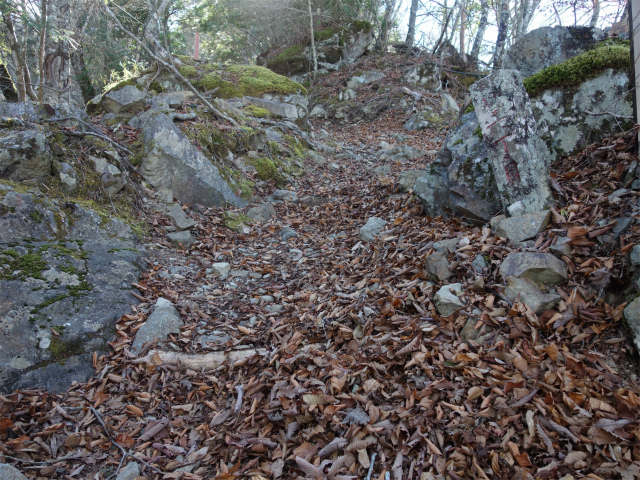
(580, 68)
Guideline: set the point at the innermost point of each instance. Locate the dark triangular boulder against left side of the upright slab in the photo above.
(460, 181)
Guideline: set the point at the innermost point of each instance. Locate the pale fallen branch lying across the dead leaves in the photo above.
(208, 361)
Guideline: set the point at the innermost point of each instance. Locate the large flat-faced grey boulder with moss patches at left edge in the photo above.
(65, 277)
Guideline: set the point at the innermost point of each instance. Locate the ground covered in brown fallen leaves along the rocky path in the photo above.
(355, 375)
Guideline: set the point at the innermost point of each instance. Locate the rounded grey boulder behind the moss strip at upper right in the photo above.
(547, 46)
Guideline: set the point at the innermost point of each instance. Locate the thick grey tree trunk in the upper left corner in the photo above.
(61, 83)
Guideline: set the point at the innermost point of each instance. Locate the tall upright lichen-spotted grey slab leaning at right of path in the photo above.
(518, 156)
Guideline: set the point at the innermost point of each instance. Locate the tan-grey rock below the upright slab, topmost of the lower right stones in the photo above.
(538, 267)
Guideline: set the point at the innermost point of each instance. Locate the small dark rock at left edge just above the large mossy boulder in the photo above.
(24, 156)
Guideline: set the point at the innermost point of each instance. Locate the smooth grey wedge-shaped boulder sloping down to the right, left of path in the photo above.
(173, 162)
